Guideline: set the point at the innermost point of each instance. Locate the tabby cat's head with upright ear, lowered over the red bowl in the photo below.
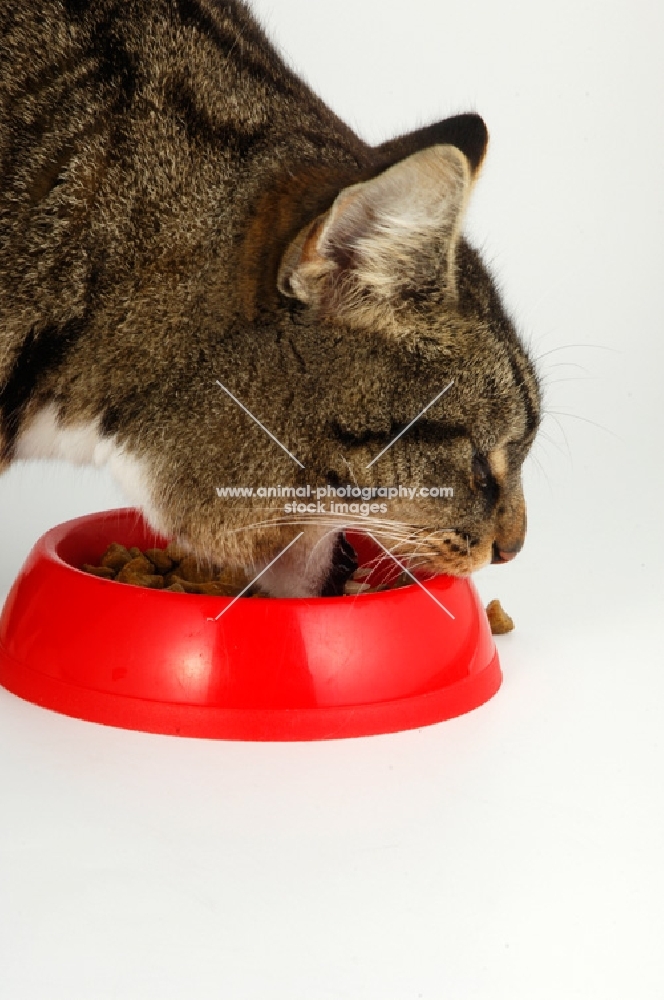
(421, 381)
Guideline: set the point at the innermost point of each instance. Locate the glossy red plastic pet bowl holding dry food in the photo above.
(267, 669)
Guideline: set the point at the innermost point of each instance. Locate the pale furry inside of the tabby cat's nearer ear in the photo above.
(354, 260)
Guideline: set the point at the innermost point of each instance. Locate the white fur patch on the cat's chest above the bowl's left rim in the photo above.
(45, 437)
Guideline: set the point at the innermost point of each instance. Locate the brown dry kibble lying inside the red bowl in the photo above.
(176, 570)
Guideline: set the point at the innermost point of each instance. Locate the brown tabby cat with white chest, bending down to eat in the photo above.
(207, 280)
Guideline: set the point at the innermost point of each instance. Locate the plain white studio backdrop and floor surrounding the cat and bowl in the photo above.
(516, 852)
